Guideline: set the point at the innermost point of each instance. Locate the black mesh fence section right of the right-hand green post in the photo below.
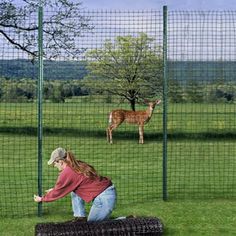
(201, 124)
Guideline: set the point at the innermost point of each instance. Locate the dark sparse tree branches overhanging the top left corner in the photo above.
(60, 28)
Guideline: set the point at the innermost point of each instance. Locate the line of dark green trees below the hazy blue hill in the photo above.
(58, 91)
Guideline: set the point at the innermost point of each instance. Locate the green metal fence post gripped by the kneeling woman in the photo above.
(40, 86)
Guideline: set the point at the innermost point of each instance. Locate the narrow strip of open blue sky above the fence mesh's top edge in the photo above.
(208, 5)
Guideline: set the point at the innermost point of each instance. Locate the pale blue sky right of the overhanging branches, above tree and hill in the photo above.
(199, 35)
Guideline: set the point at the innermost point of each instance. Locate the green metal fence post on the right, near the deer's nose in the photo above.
(165, 103)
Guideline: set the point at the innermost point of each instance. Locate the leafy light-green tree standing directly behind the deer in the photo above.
(131, 68)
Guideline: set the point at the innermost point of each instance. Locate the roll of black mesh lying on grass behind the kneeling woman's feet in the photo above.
(133, 226)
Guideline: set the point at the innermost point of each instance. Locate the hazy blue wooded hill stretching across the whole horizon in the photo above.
(179, 70)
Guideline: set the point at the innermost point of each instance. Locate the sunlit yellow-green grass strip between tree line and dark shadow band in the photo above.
(182, 118)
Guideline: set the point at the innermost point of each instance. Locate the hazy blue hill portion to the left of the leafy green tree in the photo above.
(17, 69)
